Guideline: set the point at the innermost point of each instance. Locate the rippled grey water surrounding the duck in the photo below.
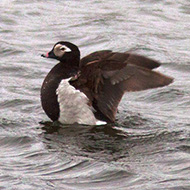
(148, 147)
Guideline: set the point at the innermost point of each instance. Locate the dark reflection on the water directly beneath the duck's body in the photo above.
(90, 140)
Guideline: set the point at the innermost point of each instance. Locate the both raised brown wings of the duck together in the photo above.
(108, 75)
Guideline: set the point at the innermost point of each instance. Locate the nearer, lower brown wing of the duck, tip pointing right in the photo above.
(130, 78)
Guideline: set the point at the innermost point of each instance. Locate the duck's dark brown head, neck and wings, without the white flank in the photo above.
(103, 76)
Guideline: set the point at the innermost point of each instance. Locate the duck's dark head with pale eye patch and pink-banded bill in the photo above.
(64, 52)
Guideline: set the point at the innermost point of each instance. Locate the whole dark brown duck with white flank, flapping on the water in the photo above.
(88, 91)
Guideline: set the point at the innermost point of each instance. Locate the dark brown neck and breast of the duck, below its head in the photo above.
(50, 85)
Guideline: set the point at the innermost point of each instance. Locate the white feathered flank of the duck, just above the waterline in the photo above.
(74, 106)
